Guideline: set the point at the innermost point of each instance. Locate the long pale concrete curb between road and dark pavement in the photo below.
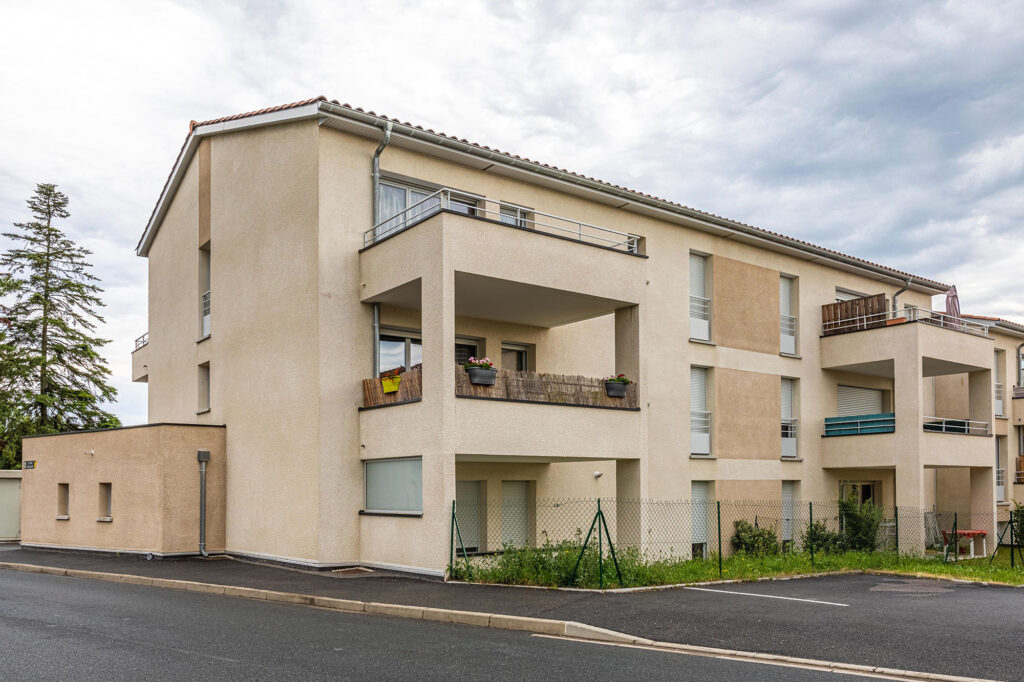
(546, 627)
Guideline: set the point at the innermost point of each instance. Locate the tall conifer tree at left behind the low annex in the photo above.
(53, 319)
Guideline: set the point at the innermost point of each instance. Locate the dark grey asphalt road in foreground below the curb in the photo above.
(54, 628)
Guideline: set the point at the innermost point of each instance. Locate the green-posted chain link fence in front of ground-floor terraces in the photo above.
(688, 530)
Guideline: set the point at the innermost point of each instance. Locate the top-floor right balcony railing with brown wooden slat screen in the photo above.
(870, 313)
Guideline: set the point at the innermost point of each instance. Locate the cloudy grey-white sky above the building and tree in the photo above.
(890, 132)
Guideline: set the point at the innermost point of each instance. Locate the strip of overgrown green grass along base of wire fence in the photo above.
(551, 566)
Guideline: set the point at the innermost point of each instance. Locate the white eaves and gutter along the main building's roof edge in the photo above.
(370, 124)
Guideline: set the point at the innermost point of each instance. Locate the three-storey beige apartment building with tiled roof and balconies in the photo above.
(298, 252)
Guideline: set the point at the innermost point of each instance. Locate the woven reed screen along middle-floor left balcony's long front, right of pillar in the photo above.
(540, 388)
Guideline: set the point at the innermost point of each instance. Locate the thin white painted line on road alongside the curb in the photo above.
(837, 668)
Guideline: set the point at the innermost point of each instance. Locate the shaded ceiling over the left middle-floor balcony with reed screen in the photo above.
(503, 301)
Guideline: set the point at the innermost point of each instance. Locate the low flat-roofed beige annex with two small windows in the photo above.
(133, 490)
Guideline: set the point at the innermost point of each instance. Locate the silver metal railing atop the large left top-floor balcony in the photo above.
(448, 199)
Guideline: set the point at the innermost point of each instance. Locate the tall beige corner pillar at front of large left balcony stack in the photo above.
(438, 316)
